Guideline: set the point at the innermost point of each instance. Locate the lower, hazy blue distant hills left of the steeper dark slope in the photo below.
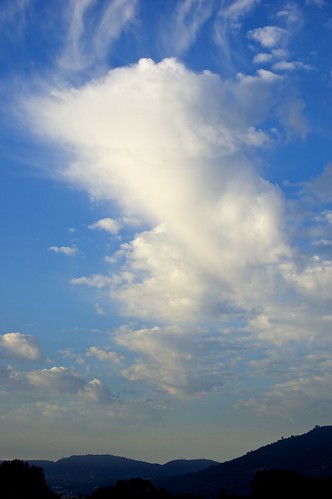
(83, 474)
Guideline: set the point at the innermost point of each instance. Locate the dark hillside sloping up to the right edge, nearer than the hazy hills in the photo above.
(309, 454)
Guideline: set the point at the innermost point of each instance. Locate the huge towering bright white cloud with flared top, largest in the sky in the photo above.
(213, 220)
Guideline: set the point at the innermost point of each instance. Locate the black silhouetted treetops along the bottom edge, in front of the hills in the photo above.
(19, 480)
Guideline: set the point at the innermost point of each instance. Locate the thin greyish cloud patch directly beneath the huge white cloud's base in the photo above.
(170, 358)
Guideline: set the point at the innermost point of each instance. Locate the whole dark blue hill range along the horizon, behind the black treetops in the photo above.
(309, 454)
